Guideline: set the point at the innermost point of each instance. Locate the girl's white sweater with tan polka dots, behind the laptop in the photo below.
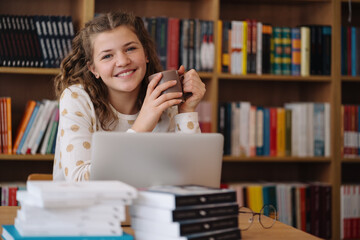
(78, 122)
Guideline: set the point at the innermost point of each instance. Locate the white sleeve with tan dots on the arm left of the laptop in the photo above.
(76, 124)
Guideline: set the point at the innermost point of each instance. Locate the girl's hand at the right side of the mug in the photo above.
(191, 84)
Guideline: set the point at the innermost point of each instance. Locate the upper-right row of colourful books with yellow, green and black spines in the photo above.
(251, 46)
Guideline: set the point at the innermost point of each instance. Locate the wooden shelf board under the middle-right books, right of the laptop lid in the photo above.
(278, 159)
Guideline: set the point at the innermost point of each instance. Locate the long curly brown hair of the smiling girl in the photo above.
(74, 67)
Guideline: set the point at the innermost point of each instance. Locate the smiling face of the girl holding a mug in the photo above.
(119, 59)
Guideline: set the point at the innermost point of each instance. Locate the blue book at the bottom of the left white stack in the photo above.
(10, 233)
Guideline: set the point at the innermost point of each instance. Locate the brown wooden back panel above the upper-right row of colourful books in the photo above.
(281, 13)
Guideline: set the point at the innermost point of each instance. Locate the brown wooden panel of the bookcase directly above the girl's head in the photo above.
(150, 8)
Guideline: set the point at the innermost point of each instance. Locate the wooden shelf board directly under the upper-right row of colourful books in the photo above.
(271, 77)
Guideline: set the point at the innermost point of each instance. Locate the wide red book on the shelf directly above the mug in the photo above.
(173, 43)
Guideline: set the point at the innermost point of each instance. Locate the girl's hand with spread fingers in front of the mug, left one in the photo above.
(155, 104)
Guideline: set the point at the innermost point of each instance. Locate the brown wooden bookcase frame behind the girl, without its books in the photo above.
(269, 90)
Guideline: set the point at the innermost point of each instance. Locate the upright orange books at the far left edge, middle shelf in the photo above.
(5, 125)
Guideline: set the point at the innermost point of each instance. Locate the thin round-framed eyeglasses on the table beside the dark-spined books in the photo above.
(267, 217)
